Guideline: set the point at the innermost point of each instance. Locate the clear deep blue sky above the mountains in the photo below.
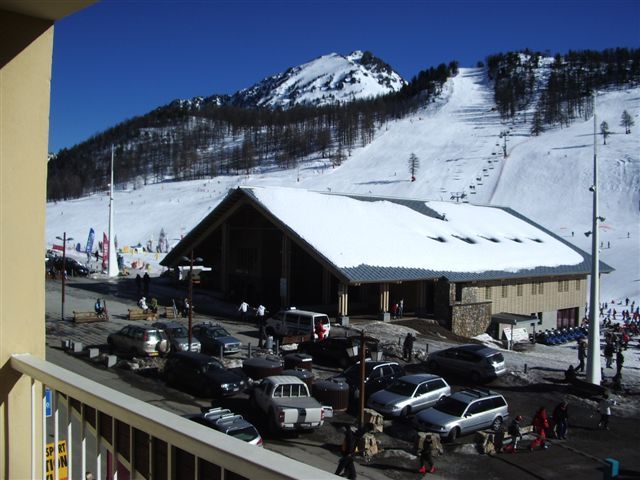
(118, 59)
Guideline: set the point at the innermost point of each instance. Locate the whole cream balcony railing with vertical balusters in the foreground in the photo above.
(117, 436)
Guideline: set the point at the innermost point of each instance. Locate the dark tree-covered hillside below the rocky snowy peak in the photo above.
(208, 137)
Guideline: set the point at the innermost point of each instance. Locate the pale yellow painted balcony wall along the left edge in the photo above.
(25, 77)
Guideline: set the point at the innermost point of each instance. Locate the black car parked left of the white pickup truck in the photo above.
(202, 374)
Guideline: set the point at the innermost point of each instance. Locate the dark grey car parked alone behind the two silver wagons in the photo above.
(479, 362)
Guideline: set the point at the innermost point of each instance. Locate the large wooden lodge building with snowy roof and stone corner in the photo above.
(464, 265)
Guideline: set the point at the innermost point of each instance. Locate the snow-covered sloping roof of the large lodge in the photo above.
(371, 239)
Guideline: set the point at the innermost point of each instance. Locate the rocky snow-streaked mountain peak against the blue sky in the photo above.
(328, 79)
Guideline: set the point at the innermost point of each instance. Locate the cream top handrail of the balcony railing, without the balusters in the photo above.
(205, 443)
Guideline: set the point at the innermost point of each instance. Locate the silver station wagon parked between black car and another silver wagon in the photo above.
(409, 394)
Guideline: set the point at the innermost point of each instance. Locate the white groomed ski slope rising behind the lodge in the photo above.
(460, 143)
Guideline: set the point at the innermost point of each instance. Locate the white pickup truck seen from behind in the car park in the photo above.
(288, 405)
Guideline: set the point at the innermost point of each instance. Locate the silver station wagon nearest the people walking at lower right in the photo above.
(464, 412)
